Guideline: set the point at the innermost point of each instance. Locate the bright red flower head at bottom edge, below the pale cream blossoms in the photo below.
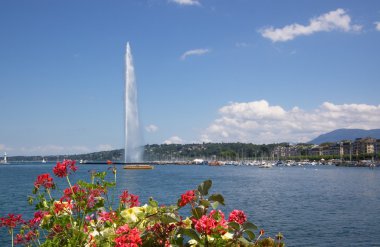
(127, 237)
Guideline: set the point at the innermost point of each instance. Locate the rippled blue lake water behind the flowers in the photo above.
(311, 206)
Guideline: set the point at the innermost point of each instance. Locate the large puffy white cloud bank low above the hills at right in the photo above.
(258, 122)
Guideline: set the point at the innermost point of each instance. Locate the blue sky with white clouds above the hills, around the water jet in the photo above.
(216, 70)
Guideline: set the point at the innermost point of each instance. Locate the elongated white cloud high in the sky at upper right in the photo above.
(333, 20)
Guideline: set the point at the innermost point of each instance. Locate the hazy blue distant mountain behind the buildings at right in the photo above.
(345, 134)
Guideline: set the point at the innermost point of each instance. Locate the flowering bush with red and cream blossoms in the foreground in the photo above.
(84, 216)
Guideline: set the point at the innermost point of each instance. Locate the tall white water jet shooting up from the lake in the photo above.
(133, 140)
